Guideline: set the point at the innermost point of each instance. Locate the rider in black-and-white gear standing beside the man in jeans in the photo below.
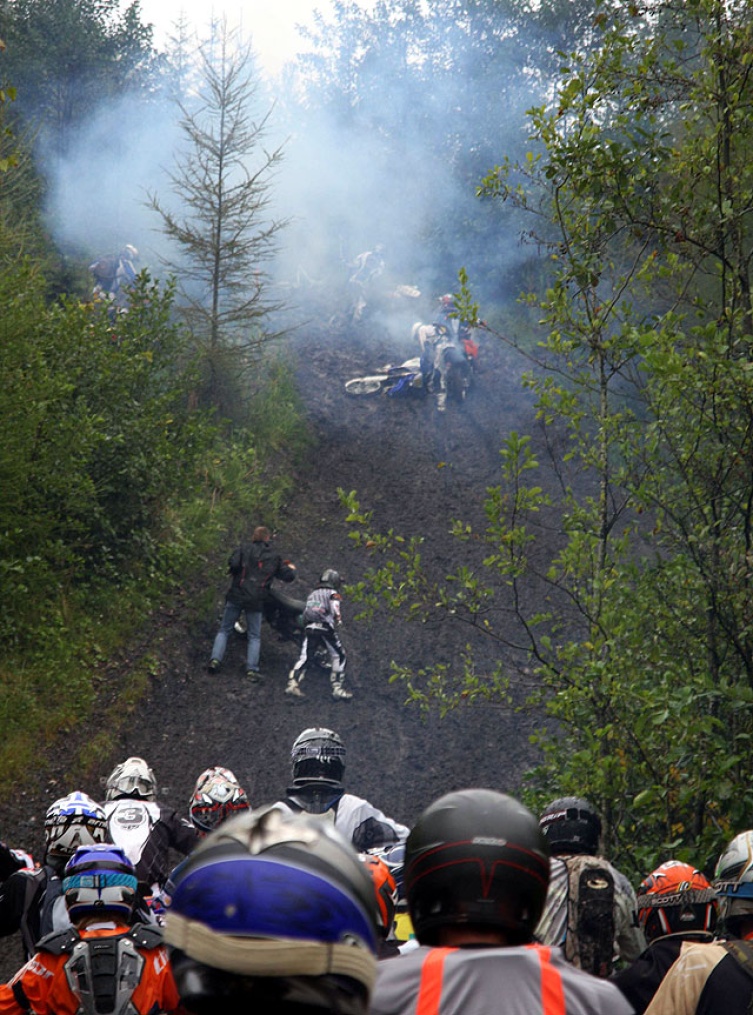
(322, 617)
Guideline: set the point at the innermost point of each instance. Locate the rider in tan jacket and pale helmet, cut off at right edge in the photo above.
(718, 977)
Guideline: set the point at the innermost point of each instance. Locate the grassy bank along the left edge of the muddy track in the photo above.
(65, 682)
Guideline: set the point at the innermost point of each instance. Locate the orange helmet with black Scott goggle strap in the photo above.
(675, 899)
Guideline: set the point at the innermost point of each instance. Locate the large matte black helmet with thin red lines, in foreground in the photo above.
(476, 857)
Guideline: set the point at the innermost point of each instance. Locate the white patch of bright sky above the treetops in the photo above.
(270, 24)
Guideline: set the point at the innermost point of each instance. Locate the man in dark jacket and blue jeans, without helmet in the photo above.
(253, 567)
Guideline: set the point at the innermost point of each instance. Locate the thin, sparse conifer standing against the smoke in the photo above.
(223, 224)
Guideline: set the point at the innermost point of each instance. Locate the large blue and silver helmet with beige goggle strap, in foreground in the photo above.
(272, 912)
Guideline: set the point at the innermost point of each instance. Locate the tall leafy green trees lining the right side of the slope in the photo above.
(637, 629)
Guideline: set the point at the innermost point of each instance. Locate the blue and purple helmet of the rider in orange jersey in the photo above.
(100, 879)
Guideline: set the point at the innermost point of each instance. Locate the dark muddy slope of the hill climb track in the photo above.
(417, 469)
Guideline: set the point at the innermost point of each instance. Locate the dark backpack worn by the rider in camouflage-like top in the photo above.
(590, 936)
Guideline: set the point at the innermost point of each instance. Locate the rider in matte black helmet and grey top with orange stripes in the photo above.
(476, 873)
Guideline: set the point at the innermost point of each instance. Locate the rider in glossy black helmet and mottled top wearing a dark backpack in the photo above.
(573, 830)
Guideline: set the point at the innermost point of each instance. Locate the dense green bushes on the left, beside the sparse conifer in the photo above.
(98, 443)
